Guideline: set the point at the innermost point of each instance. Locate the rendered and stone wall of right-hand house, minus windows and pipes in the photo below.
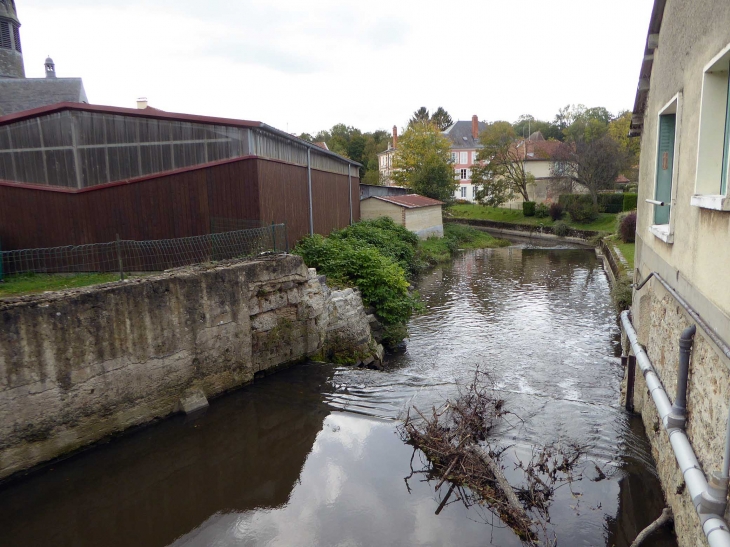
(695, 263)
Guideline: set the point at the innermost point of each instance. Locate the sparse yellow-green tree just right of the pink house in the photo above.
(501, 170)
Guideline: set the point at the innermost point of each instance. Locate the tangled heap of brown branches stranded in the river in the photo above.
(456, 442)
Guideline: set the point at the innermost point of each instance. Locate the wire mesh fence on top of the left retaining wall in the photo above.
(126, 256)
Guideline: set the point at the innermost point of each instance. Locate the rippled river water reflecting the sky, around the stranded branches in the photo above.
(311, 455)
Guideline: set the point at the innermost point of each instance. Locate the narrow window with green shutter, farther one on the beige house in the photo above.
(665, 177)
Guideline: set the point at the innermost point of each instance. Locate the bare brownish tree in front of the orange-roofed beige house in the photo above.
(591, 163)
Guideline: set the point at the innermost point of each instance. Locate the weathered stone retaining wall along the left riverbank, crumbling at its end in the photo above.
(78, 365)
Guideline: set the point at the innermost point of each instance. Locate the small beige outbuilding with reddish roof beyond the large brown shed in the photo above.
(419, 214)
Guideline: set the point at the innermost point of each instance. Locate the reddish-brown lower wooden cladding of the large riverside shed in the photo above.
(178, 205)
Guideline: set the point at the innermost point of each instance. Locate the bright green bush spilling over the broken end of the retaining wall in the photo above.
(382, 282)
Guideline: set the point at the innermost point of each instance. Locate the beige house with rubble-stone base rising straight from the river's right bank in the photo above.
(682, 115)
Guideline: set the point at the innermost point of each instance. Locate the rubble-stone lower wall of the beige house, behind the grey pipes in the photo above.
(659, 321)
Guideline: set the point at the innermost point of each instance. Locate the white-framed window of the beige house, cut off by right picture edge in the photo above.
(710, 148)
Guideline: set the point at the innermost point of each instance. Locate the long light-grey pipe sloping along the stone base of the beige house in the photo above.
(709, 500)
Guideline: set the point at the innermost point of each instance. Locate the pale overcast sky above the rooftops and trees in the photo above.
(304, 66)
